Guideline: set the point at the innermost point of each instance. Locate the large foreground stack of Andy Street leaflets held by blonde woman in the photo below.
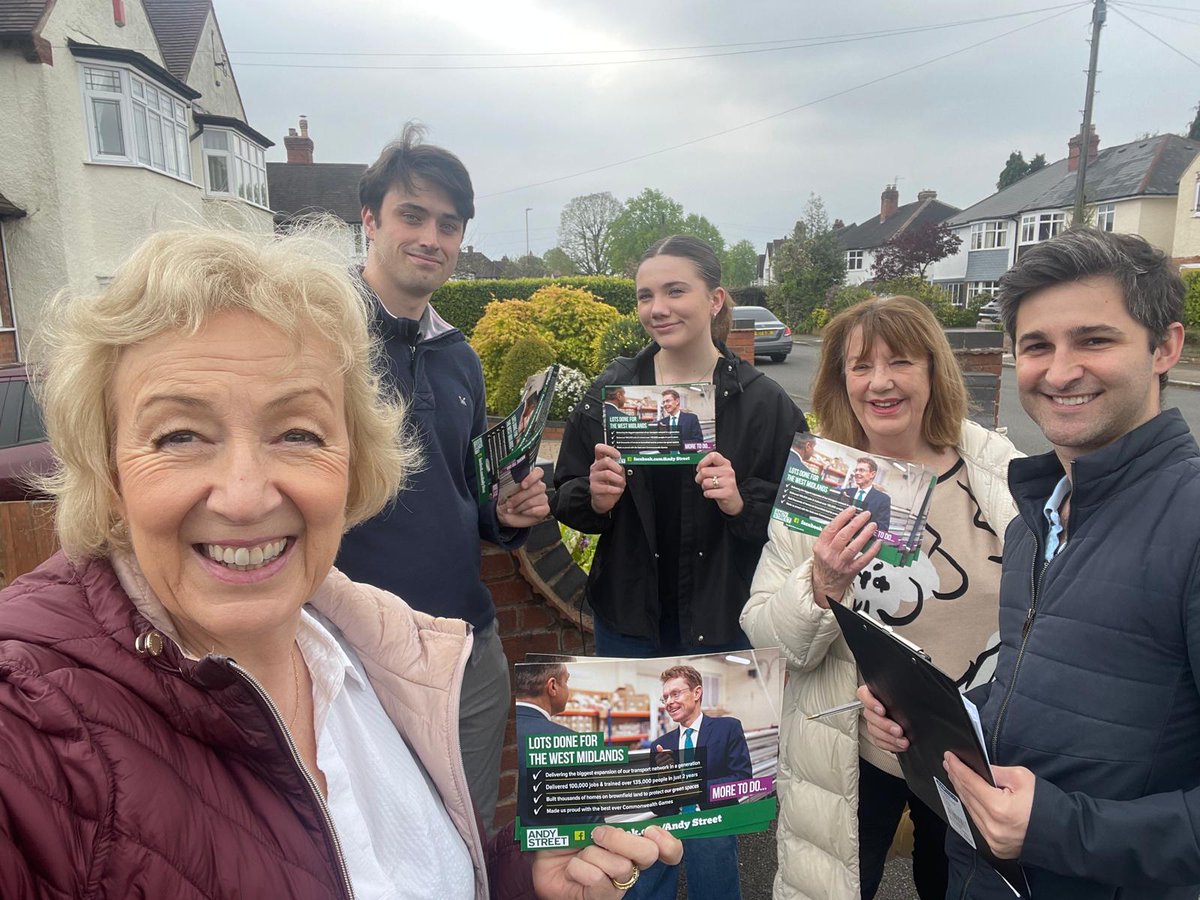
(617, 748)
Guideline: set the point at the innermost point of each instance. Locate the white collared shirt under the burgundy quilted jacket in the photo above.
(397, 836)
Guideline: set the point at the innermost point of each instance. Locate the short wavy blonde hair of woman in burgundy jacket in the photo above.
(177, 281)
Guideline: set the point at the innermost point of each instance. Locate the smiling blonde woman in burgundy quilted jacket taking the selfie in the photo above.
(193, 701)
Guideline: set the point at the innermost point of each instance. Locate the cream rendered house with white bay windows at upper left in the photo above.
(121, 118)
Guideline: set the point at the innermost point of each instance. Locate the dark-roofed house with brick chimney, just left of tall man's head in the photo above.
(303, 189)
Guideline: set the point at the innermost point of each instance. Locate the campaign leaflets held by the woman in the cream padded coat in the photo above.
(824, 478)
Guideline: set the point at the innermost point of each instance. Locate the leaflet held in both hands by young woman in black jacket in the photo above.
(661, 424)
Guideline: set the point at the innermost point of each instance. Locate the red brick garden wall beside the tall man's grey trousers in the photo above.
(527, 623)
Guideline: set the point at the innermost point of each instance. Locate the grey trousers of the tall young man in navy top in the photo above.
(483, 715)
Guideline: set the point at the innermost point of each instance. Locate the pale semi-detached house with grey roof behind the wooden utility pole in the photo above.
(1132, 189)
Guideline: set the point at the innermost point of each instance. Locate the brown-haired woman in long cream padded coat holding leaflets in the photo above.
(887, 385)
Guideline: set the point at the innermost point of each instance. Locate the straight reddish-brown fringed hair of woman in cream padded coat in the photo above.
(908, 327)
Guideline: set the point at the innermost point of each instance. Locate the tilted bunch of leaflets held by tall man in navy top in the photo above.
(508, 452)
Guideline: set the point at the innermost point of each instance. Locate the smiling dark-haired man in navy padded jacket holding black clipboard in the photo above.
(1094, 719)
